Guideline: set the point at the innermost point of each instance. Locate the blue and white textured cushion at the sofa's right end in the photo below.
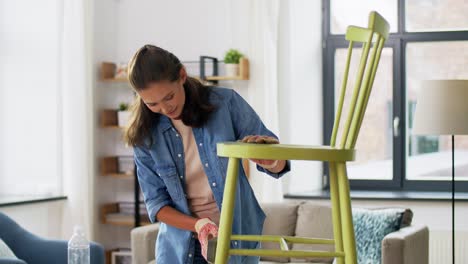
(371, 226)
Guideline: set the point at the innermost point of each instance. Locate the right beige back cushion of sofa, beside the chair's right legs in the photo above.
(314, 221)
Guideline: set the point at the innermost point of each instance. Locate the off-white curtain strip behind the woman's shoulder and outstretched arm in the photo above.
(263, 84)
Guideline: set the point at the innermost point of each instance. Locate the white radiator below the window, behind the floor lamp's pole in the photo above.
(440, 247)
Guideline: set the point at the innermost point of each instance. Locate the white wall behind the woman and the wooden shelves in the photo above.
(186, 28)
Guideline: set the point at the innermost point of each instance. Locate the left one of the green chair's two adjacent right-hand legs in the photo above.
(336, 212)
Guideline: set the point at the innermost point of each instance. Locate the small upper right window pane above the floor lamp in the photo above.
(437, 15)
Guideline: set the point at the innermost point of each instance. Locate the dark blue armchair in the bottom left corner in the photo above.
(32, 249)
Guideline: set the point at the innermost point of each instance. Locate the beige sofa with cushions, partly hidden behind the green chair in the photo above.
(400, 243)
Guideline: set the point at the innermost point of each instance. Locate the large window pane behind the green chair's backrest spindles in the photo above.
(375, 143)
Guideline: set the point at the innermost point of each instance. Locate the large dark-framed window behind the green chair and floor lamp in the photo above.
(428, 40)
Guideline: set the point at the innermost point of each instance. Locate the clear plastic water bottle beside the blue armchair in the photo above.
(78, 247)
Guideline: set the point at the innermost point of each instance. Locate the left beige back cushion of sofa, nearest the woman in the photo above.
(280, 220)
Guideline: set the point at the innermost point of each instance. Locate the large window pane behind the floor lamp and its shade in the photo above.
(429, 157)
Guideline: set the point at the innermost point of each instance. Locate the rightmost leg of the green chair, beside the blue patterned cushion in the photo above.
(349, 242)
